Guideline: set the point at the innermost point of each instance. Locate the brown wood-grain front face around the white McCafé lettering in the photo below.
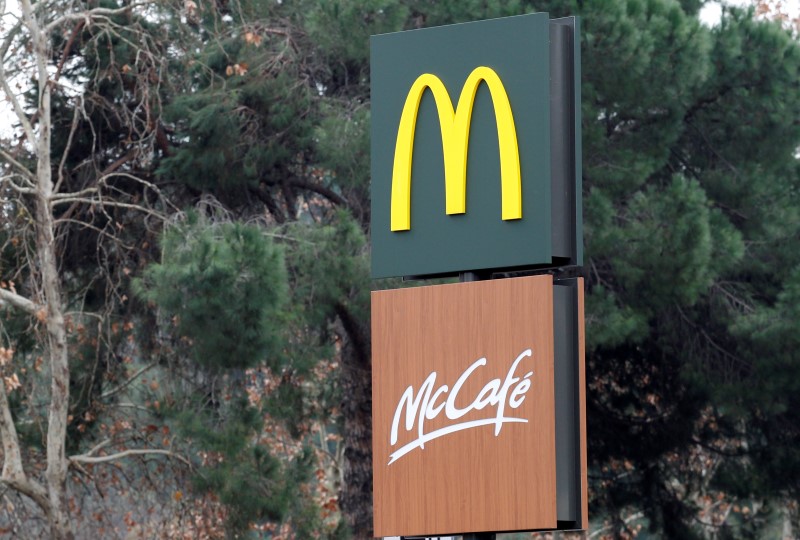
(471, 480)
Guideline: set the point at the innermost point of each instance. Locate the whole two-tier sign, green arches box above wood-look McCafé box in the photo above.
(478, 386)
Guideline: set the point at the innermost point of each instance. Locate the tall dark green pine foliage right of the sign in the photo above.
(681, 169)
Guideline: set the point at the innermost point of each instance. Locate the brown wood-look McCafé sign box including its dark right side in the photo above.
(432, 334)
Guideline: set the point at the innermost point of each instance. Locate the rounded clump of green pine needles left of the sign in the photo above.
(224, 285)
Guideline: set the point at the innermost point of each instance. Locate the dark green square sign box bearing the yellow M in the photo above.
(476, 147)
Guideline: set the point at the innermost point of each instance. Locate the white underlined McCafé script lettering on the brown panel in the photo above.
(422, 405)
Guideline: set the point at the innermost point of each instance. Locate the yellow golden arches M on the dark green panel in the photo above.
(454, 125)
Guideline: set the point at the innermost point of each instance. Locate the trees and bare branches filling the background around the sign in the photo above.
(184, 247)
